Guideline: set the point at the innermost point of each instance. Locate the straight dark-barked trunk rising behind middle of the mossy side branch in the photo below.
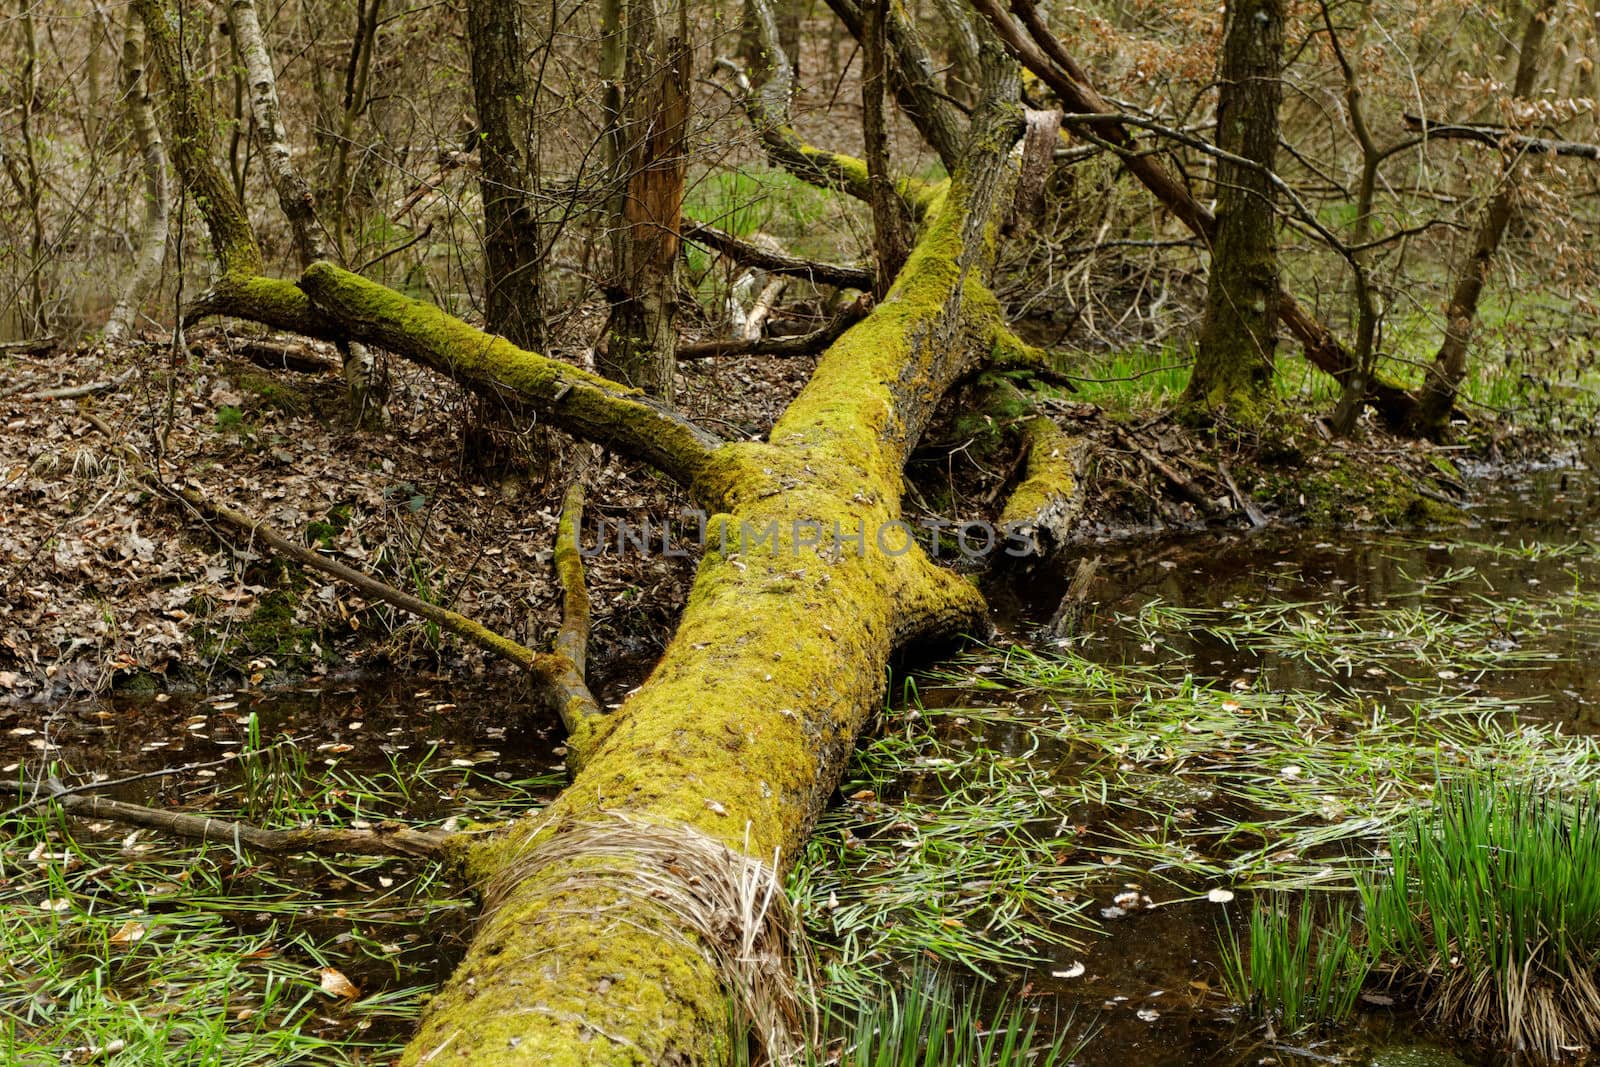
(508, 154)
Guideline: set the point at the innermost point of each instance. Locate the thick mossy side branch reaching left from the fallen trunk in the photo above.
(575, 401)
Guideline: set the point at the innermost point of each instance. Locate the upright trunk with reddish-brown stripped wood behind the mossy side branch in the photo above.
(647, 233)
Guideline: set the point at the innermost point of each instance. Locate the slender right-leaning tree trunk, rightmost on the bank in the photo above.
(1450, 366)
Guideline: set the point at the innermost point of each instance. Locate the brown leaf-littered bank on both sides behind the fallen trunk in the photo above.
(106, 586)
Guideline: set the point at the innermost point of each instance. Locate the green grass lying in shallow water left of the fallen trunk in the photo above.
(126, 948)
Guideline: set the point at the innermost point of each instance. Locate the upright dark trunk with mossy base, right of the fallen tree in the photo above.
(1241, 330)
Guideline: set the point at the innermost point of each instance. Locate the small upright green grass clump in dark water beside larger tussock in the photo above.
(1297, 972)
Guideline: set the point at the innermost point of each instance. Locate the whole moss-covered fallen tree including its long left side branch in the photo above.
(623, 919)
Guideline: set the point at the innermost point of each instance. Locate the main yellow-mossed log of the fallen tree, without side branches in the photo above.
(742, 732)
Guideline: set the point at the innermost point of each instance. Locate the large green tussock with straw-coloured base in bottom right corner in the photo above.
(1492, 908)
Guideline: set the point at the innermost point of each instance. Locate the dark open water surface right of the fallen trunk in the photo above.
(1518, 575)
